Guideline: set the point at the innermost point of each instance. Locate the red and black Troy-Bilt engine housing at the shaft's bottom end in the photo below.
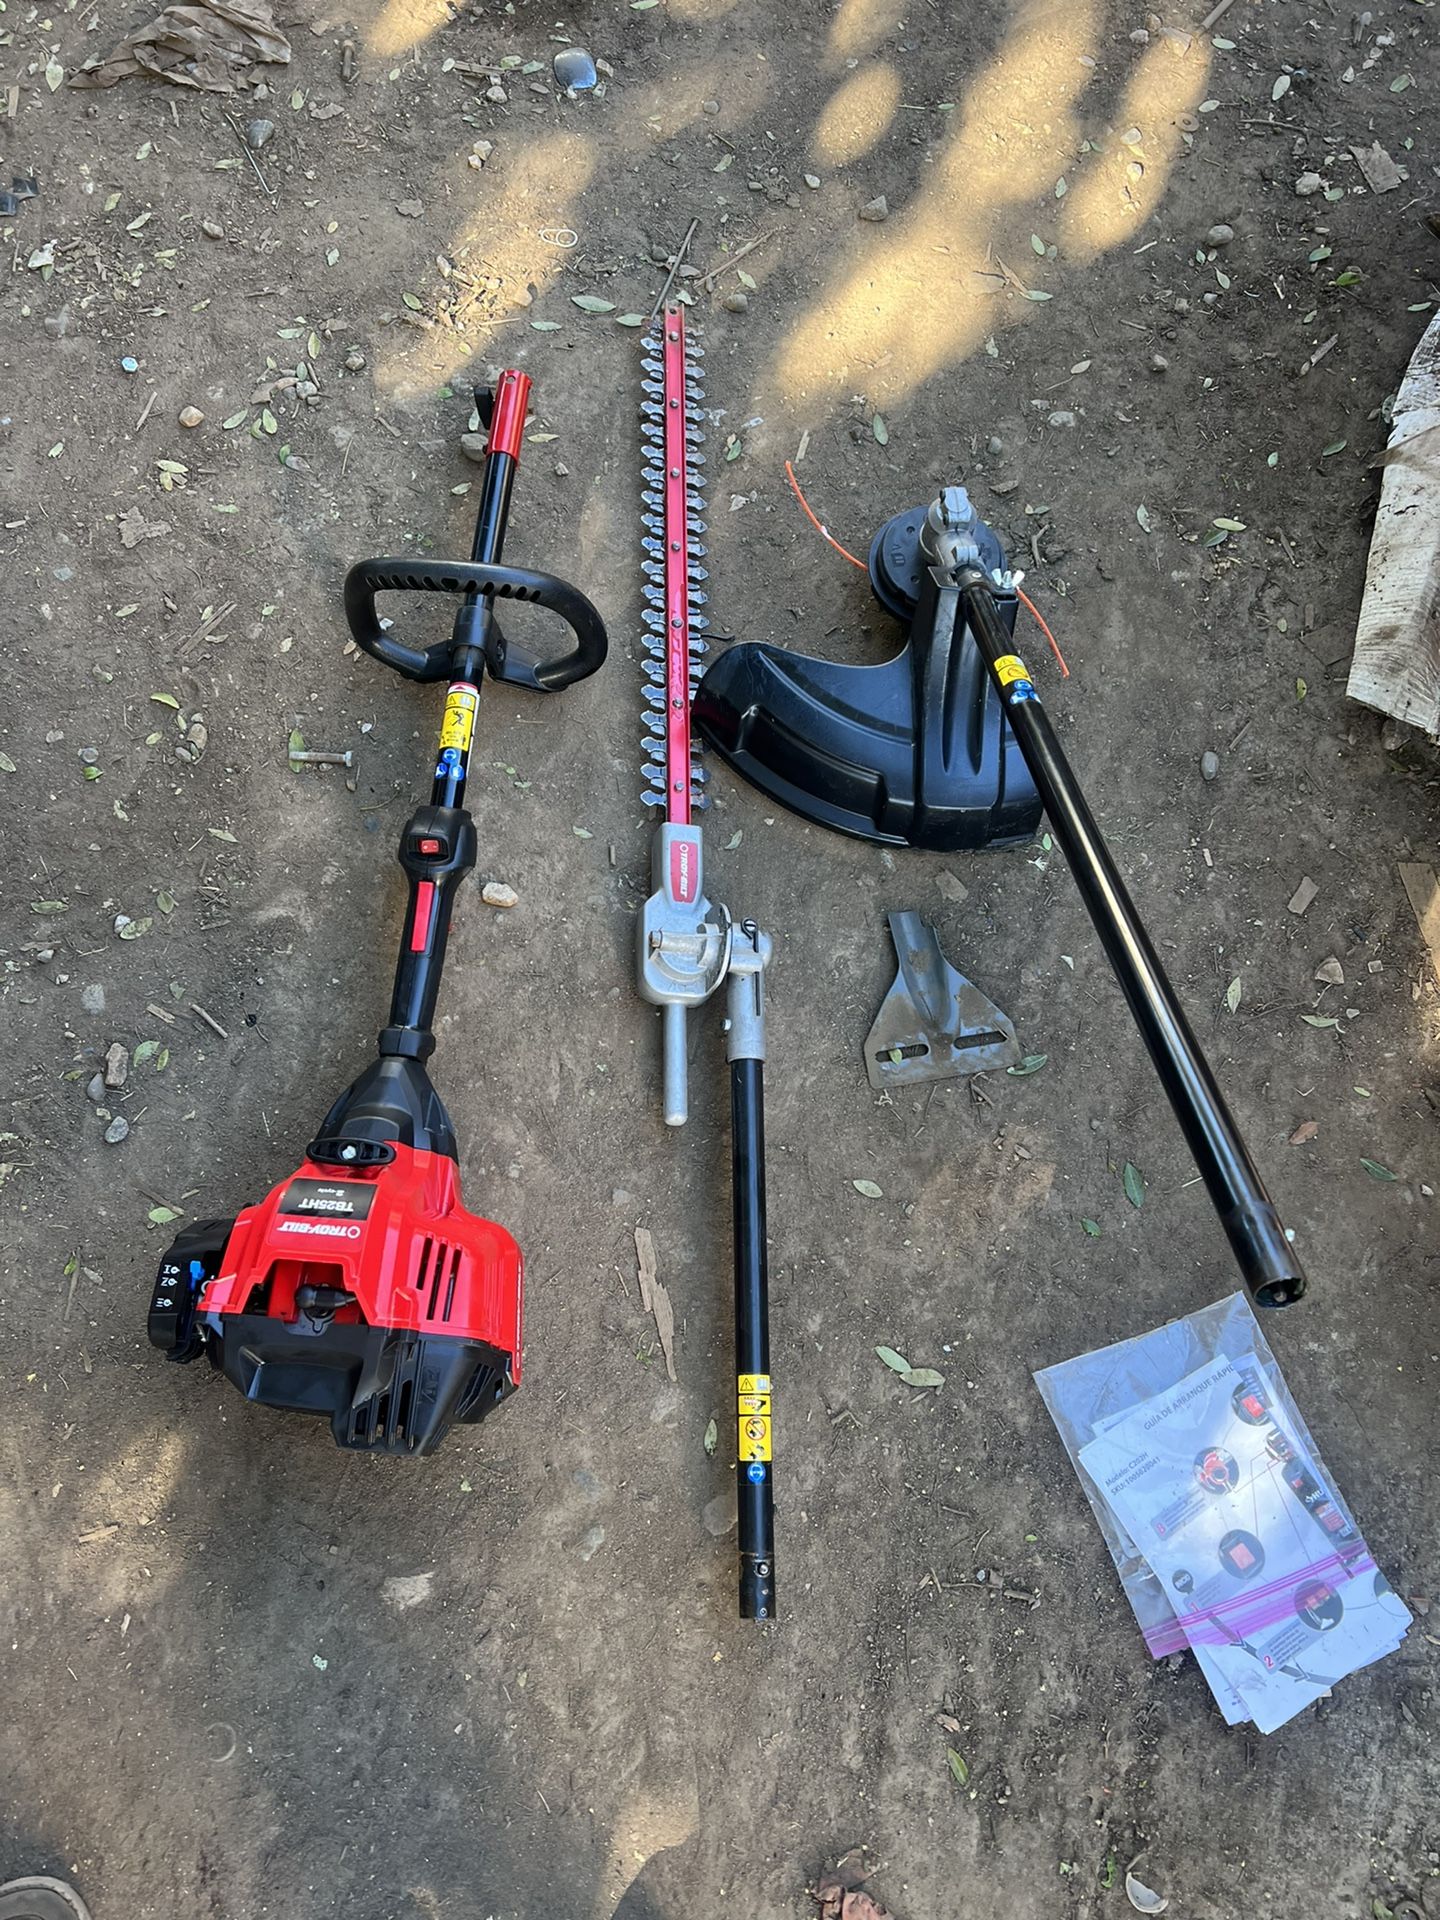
(360, 1287)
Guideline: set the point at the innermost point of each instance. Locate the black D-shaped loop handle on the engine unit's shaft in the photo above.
(468, 577)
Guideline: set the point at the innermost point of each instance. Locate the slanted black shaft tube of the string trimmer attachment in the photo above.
(1237, 1193)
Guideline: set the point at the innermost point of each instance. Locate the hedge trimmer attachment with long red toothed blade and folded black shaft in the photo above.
(688, 946)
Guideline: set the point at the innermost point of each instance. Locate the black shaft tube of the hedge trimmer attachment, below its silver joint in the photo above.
(754, 1464)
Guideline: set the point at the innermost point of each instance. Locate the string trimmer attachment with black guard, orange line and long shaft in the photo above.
(949, 748)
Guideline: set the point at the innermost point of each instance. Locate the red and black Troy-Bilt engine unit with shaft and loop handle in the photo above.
(360, 1287)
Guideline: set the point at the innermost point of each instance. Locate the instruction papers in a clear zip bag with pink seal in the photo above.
(1220, 1514)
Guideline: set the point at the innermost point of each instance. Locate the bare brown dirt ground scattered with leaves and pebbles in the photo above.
(249, 1675)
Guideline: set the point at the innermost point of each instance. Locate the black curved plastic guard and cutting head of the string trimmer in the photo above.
(917, 752)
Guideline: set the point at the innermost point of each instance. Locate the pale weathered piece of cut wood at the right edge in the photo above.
(1397, 663)
